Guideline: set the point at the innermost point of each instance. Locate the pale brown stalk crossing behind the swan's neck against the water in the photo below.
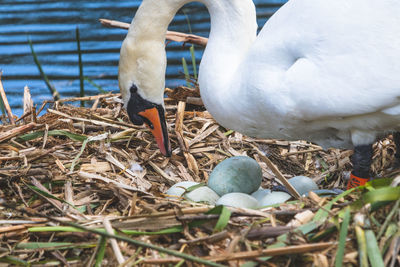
(171, 35)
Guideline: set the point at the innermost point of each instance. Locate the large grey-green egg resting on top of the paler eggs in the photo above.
(236, 174)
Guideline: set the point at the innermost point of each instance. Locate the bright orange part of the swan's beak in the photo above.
(158, 127)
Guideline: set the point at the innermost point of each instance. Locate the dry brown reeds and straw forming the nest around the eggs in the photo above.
(91, 166)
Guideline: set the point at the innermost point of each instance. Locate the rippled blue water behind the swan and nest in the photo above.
(51, 26)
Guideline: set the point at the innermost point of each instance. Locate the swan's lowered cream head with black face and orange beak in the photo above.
(141, 78)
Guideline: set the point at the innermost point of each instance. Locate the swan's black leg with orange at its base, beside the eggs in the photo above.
(361, 160)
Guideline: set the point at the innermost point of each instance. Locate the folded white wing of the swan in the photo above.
(335, 58)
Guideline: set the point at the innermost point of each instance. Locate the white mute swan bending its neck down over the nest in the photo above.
(323, 71)
